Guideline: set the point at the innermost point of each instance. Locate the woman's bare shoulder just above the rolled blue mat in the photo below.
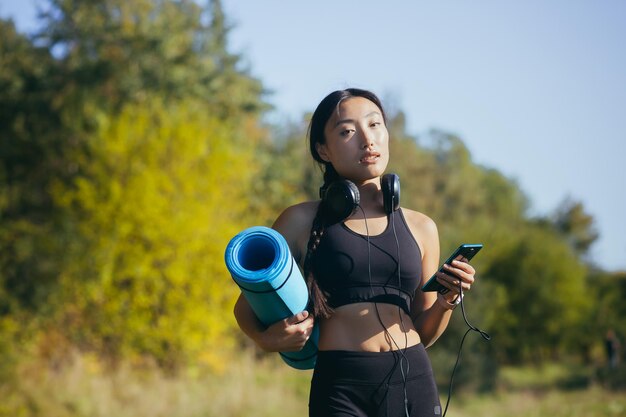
(294, 223)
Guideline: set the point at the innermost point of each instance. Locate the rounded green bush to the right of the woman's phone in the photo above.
(539, 296)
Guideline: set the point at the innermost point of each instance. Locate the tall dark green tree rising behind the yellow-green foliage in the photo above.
(89, 60)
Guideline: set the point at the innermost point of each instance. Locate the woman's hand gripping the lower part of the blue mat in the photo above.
(288, 335)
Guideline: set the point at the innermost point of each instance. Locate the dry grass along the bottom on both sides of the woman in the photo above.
(267, 387)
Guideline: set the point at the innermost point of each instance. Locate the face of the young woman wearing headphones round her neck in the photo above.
(357, 141)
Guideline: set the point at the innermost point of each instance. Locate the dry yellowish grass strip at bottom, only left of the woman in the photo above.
(81, 388)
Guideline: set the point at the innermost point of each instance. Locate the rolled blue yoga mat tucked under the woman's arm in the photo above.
(260, 262)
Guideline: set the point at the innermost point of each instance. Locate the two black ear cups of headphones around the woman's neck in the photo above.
(341, 198)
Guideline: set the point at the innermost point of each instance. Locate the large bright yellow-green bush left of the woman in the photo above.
(160, 193)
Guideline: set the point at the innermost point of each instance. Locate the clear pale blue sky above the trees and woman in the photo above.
(536, 89)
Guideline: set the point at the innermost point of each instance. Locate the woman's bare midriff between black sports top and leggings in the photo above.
(367, 327)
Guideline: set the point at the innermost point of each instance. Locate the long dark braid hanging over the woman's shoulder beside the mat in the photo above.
(319, 299)
